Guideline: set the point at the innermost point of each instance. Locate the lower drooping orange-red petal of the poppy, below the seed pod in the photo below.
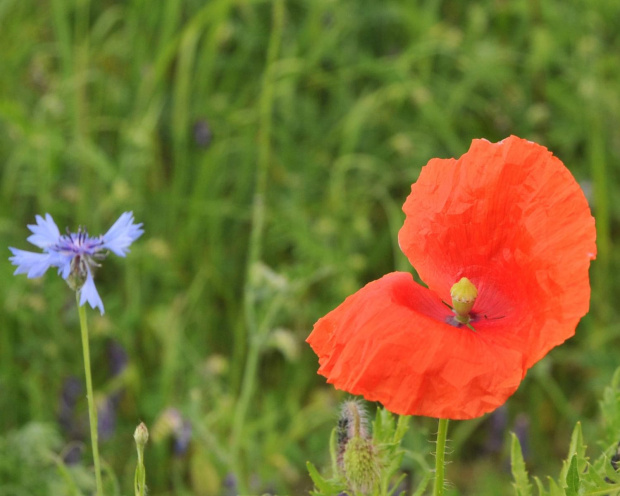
(391, 342)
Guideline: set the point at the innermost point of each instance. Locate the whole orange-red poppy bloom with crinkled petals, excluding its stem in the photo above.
(510, 218)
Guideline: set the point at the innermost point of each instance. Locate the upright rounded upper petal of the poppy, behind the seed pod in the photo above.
(510, 217)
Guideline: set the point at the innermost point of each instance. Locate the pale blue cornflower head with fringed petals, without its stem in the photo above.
(75, 254)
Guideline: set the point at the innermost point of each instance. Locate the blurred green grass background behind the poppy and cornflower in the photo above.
(268, 147)
